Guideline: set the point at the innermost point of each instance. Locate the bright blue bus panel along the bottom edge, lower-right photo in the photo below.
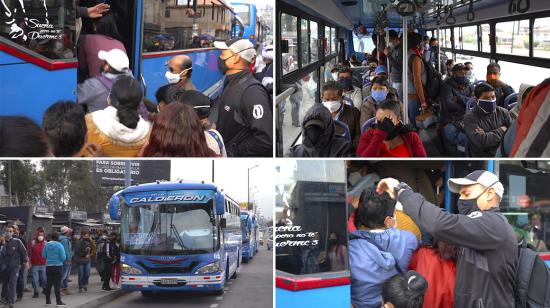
(326, 297)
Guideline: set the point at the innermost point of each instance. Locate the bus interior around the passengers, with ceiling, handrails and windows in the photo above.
(316, 39)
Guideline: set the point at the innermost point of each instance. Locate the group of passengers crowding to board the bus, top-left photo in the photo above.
(113, 118)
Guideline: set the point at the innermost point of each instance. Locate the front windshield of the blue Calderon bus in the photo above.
(169, 229)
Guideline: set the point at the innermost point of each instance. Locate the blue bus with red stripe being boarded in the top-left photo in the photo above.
(38, 47)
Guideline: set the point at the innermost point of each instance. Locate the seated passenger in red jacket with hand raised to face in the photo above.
(390, 137)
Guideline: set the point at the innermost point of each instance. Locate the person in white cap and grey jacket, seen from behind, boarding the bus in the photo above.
(93, 92)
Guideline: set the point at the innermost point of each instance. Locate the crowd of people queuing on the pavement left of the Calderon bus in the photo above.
(50, 259)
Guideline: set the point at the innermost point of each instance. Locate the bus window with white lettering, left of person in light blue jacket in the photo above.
(311, 209)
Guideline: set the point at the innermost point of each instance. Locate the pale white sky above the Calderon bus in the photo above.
(231, 176)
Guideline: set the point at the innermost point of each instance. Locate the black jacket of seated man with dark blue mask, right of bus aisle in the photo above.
(486, 144)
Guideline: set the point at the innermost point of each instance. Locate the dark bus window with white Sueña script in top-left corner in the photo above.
(45, 27)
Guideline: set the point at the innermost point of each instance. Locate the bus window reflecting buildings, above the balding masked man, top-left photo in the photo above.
(168, 25)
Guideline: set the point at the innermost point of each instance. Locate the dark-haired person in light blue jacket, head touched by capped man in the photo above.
(377, 250)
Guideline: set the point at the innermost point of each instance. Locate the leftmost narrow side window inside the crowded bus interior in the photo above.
(289, 32)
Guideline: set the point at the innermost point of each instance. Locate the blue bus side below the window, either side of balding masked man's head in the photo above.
(205, 71)
